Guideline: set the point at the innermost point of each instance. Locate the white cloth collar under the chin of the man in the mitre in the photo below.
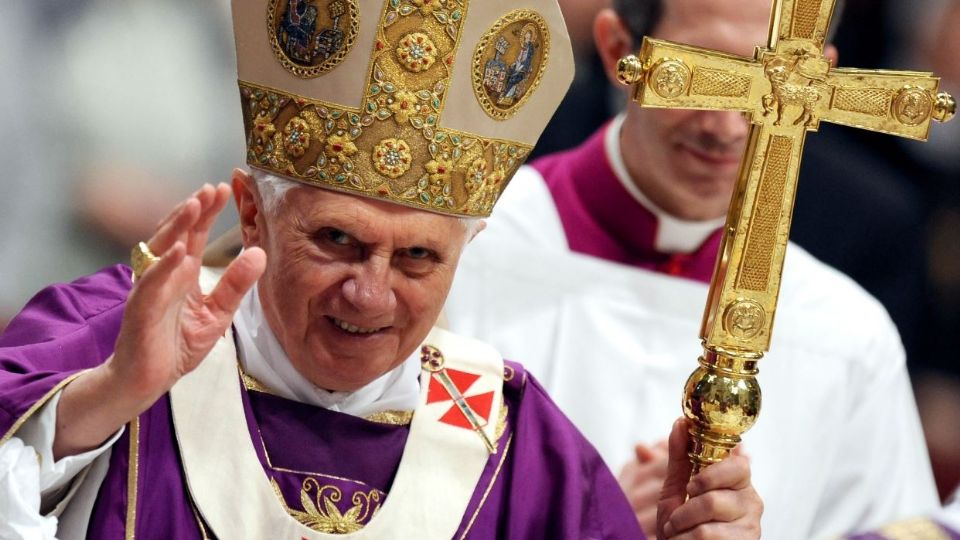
(263, 358)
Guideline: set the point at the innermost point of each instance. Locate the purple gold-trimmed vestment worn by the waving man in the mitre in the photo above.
(549, 482)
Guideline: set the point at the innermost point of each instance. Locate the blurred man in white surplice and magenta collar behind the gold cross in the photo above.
(594, 270)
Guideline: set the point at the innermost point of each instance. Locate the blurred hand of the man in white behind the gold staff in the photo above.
(642, 479)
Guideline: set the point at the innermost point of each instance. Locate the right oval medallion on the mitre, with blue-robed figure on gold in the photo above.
(509, 62)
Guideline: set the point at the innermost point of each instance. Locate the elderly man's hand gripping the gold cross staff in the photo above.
(719, 502)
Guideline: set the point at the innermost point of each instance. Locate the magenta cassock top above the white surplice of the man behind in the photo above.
(602, 219)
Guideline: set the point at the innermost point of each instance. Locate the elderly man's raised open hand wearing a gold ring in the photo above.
(168, 327)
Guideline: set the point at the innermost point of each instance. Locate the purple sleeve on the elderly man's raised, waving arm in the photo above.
(63, 330)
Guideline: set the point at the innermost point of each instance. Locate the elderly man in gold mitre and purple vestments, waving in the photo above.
(302, 391)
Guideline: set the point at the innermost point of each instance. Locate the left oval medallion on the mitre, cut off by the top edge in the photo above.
(311, 37)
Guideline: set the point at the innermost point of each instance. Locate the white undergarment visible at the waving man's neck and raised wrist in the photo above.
(23, 488)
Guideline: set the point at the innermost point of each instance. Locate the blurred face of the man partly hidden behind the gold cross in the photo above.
(687, 161)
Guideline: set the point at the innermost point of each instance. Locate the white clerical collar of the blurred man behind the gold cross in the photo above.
(674, 235)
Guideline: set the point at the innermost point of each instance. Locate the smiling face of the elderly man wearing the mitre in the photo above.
(352, 285)
